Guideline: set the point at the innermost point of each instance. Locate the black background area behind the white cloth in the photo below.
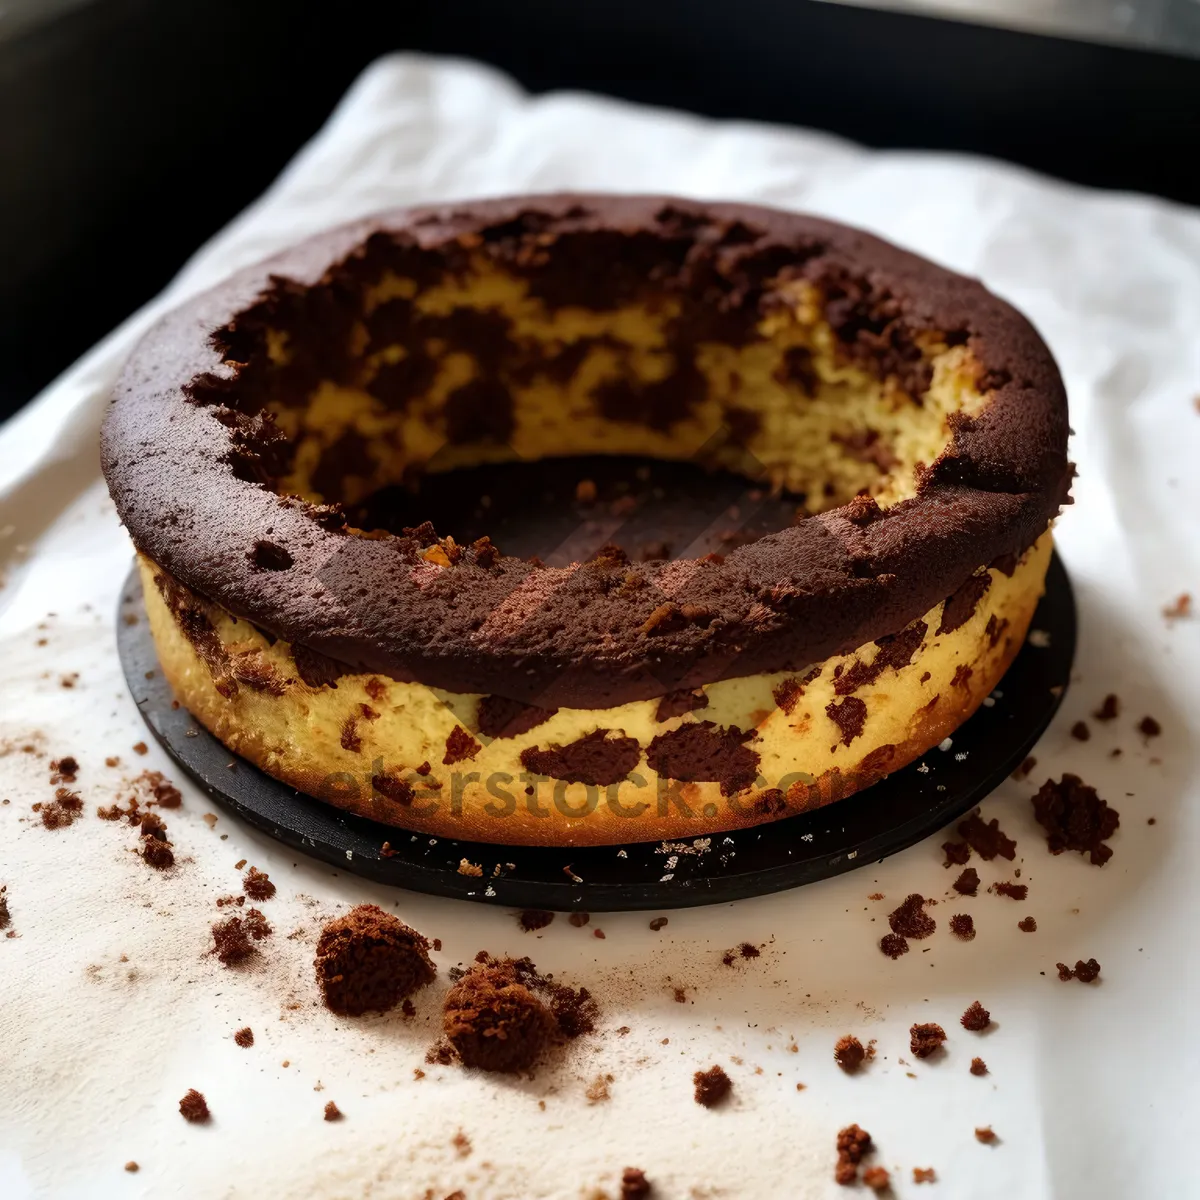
(135, 129)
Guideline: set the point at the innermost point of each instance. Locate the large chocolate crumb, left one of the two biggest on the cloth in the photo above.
(369, 961)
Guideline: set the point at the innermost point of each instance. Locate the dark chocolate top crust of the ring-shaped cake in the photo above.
(566, 637)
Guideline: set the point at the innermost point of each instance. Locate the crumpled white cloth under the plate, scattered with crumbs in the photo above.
(1094, 1090)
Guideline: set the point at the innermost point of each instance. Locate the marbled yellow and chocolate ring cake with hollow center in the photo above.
(449, 688)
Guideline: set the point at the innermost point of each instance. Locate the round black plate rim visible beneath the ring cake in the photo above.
(896, 813)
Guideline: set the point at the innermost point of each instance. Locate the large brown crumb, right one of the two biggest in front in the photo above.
(494, 1021)
